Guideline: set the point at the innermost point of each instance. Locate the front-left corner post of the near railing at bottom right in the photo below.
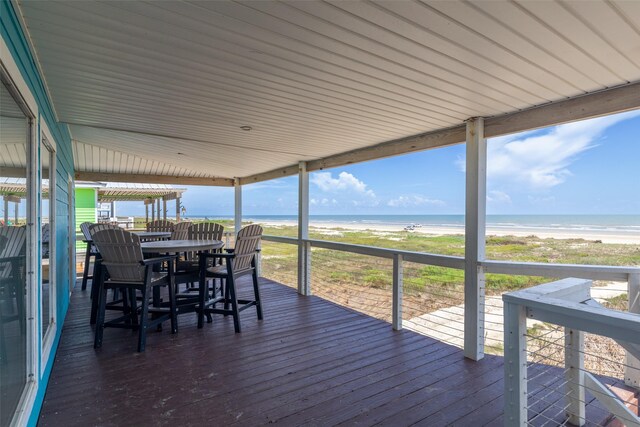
(515, 365)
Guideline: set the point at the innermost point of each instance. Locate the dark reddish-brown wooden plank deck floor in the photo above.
(309, 362)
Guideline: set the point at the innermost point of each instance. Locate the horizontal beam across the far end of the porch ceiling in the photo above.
(153, 179)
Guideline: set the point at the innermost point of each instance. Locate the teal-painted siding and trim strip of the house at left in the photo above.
(14, 36)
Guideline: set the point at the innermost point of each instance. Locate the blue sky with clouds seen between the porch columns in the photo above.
(587, 167)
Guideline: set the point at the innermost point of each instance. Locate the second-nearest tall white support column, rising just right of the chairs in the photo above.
(304, 249)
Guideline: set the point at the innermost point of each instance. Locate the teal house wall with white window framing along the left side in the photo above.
(19, 53)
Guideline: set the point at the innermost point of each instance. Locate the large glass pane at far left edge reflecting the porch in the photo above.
(14, 137)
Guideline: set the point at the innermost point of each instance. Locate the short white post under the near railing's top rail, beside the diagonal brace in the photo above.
(574, 363)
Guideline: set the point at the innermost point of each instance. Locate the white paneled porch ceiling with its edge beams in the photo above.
(159, 92)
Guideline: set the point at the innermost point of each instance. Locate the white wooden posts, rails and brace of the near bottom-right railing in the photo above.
(568, 304)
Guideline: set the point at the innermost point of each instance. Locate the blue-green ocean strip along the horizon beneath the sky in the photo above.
(592, 223)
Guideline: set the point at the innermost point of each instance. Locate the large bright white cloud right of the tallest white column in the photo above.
(541, 160)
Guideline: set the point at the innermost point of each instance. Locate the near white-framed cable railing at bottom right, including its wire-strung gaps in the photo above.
(558, 358)
